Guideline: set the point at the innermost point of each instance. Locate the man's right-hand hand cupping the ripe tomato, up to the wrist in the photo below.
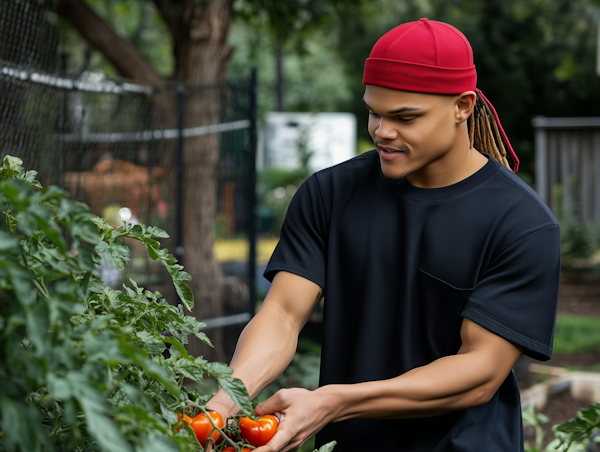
(303, 413)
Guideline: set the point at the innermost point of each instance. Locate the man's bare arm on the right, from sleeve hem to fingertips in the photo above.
(467, 379)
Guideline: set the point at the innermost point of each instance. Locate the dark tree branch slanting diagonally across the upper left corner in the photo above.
(118, 51)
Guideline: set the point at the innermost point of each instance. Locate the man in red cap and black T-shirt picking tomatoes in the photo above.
(439, 267)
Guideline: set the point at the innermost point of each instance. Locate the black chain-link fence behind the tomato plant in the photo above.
(172, 156)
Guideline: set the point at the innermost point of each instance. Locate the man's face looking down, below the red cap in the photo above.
(413, 132)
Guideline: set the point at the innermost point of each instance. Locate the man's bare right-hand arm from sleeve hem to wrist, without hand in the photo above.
(467, 379)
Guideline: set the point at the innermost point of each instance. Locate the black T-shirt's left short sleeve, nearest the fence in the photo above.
(302, 244)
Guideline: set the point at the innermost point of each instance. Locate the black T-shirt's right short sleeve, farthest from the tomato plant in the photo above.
(518, 295)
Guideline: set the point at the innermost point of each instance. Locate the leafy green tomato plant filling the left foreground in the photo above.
(85, 366)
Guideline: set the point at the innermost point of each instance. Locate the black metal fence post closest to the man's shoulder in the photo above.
(252, 195)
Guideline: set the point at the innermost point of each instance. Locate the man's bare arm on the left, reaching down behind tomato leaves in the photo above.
(268, 342)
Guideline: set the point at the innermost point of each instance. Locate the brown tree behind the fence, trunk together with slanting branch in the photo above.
(202, 54)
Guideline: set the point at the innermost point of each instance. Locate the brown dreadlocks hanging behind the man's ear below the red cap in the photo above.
(481, 135)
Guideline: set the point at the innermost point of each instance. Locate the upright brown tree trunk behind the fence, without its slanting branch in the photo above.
(202, 57)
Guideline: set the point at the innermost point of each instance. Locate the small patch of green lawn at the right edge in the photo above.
(576, 334)
